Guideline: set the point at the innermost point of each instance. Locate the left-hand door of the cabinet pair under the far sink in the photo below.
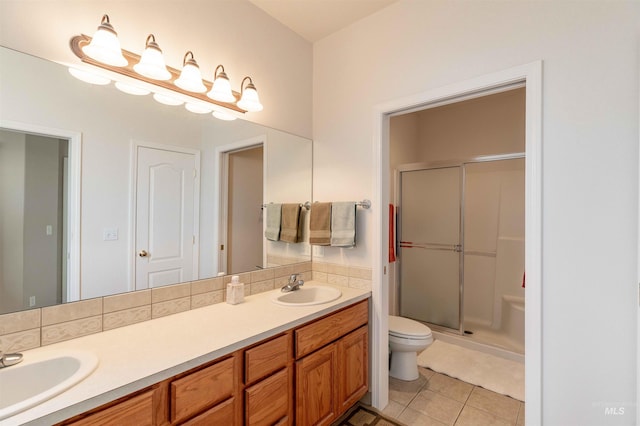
(316, 395)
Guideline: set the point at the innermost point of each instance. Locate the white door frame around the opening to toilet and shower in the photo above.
(529, 75)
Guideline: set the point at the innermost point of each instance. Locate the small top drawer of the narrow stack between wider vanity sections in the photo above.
(266, 358)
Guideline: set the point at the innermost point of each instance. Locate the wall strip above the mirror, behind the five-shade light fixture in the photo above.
(230, 32)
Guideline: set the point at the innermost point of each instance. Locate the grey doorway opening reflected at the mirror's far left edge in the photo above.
(33, 220)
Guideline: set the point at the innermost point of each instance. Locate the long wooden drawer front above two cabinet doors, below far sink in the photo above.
(310, 337)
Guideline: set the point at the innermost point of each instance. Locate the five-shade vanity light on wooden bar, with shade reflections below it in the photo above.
(150, 71)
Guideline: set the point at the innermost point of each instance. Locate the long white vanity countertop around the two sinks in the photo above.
(139, 355)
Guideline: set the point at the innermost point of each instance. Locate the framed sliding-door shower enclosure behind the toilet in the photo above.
(461, 246)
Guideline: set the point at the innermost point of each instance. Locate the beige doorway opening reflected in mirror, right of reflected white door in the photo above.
(244, 212)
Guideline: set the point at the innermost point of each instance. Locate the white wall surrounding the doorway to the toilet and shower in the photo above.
(590, 161)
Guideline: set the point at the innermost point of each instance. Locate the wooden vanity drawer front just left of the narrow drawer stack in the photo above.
(193, 393)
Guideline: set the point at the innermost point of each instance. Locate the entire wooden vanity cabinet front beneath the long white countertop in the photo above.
(309, 375)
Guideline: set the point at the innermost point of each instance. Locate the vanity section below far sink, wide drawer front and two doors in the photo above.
(332, 365)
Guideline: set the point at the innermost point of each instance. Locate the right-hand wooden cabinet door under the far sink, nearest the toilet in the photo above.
(353, 367)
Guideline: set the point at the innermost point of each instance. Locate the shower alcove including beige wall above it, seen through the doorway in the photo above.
(461, 217)
